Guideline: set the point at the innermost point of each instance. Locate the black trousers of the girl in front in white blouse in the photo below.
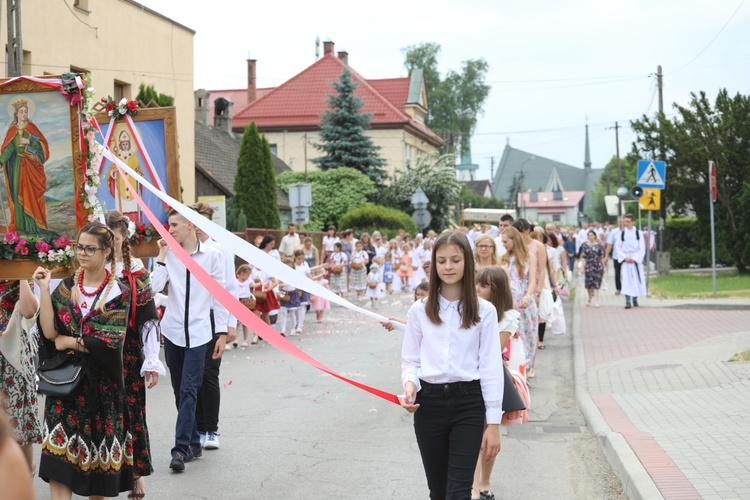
(449, 425)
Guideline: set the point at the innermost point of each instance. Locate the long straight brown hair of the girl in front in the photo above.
(469, 305)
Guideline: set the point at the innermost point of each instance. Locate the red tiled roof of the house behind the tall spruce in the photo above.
(302, 100)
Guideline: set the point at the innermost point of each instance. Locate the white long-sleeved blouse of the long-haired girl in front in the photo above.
(447, 353)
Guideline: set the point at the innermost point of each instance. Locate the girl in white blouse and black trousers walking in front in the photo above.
(453, 381)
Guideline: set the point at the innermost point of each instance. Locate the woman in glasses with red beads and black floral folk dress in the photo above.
(87, 443)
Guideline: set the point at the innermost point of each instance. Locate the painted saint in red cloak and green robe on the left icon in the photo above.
(22, 156)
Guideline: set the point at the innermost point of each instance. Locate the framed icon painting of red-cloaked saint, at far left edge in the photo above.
(40, 161)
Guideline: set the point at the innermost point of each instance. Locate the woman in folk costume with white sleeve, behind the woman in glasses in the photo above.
(141, 350)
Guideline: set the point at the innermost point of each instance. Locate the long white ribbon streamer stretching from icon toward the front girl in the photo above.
(245, 250)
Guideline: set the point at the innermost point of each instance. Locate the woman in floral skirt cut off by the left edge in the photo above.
(17, 378)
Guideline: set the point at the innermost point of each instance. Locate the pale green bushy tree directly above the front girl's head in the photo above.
(436, 175)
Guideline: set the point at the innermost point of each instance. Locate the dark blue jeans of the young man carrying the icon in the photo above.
(186, 371)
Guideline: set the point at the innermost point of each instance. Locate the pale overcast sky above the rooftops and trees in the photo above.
(553, 65)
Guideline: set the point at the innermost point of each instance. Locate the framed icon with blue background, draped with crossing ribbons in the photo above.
(146, 143)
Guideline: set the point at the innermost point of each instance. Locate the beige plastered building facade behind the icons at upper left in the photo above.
(122, 44)
